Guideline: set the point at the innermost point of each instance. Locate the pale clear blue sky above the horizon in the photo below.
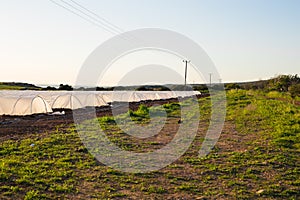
(42, 43)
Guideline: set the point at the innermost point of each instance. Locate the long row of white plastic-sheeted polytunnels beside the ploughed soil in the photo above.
(31, 102)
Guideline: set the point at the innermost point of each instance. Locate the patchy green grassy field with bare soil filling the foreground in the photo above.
(257, 157)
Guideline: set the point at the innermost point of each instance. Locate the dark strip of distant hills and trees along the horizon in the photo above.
(281, 83)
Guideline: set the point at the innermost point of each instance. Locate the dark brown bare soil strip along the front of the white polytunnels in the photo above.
(13, 126)
